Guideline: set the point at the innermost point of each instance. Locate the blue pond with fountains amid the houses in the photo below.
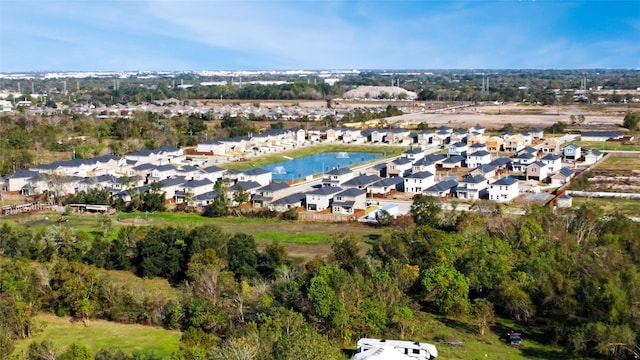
(295, 169)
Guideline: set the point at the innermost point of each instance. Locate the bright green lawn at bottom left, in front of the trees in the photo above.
(100, 334)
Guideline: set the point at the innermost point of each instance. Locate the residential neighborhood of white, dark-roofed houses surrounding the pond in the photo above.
(445, 163)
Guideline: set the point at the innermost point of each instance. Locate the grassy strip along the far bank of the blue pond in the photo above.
(311, 150)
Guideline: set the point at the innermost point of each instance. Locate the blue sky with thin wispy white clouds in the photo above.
(115, 35)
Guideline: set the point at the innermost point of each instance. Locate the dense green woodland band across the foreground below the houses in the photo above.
(574, 274)
